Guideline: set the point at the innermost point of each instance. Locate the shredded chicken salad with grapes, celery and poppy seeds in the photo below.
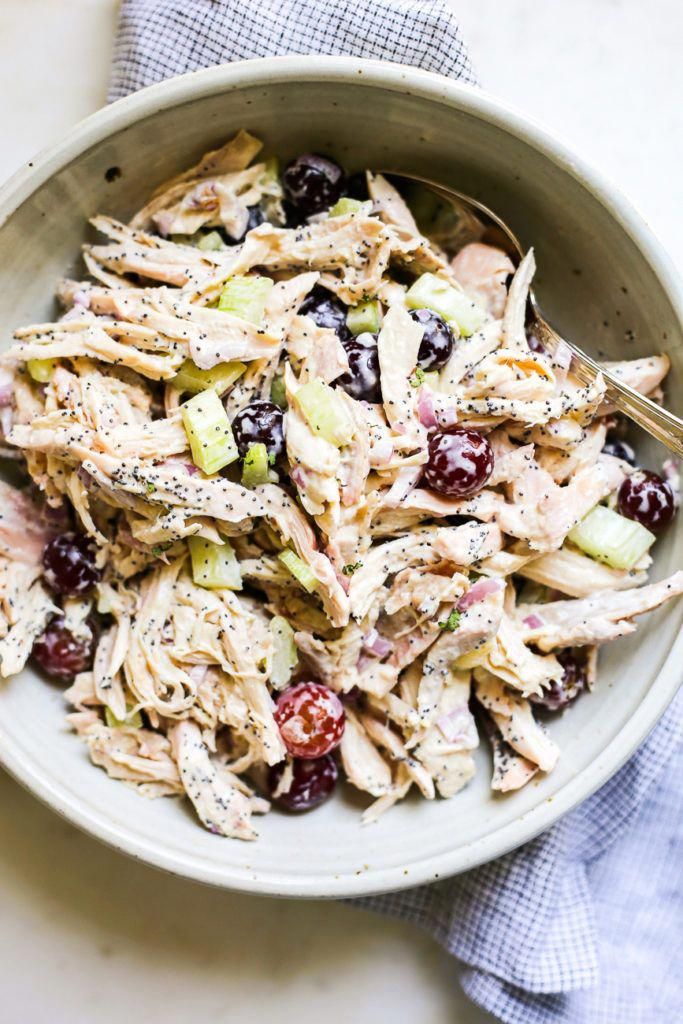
(304, 499)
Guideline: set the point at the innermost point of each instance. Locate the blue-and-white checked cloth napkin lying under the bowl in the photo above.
(585, 924)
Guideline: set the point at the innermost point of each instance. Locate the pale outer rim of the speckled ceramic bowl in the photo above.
(399, 78)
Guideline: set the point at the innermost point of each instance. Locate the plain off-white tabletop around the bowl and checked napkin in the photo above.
(88, 936)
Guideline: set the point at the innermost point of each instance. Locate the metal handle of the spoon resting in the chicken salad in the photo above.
(659, 422)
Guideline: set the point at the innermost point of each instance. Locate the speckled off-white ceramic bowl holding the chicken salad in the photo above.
(602, 275)
